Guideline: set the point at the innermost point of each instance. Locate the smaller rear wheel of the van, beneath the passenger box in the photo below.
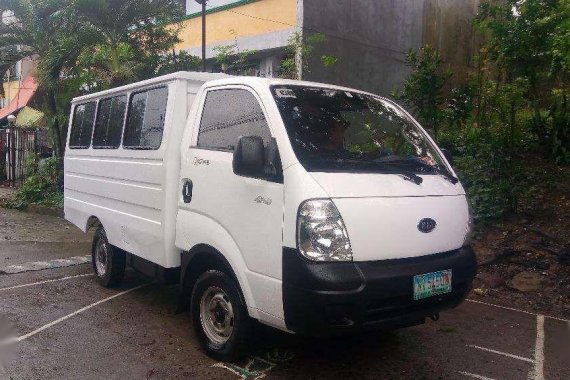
(111, 268)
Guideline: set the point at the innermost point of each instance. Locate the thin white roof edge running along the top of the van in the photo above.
(215, 78)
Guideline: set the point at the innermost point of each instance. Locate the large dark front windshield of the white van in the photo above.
(335, 130)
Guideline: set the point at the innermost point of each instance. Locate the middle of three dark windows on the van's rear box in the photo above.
(109, 123)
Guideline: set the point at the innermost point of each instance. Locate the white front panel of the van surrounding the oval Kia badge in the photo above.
(390, 232)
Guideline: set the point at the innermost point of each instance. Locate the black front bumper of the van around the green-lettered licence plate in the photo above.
(323, 298)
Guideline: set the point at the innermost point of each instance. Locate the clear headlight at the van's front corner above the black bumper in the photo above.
(321, 234)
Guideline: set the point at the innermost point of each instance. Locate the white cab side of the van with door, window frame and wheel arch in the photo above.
(240, 217)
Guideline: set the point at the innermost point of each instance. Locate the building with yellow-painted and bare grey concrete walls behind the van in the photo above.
(369, 39)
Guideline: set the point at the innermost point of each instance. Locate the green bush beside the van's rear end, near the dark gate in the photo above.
(41, 187)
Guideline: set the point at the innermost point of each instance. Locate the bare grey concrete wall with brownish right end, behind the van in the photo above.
(371, 37)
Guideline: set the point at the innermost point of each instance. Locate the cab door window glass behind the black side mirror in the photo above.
(229, 114)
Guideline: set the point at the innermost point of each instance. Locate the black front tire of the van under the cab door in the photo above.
(231, 349)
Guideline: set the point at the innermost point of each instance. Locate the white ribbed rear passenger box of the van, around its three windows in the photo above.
(133, 192)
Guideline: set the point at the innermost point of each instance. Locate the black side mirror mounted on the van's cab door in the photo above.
(249, 157)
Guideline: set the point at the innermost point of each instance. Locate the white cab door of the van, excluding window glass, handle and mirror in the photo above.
(217, 206)
